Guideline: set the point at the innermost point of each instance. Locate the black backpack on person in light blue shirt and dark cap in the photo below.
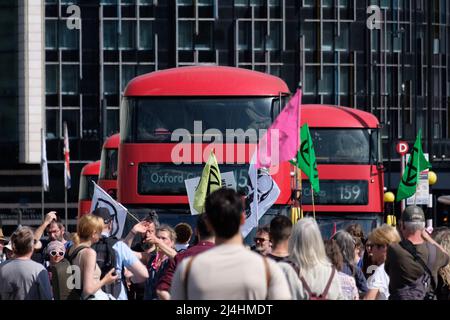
(106, 260)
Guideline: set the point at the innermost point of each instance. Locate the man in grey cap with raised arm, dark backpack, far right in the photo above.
(413, 264)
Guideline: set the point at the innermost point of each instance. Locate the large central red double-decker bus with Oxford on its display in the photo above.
(203, 102)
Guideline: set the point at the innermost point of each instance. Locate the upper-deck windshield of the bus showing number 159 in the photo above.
(345, 146)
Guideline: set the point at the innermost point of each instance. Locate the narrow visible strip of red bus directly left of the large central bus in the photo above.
(107, 179)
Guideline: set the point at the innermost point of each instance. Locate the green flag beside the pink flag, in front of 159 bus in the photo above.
(306, 158)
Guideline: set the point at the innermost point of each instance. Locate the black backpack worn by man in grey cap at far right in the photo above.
(424, 287)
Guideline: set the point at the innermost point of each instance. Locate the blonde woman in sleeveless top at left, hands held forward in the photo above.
(87, 273)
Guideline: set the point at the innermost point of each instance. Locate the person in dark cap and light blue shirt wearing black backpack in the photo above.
(112, 253)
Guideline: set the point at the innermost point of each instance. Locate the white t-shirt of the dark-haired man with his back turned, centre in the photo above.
(229, 272)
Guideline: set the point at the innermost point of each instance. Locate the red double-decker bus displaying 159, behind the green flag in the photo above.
(347, 145)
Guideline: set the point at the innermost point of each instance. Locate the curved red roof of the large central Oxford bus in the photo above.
(206, 81)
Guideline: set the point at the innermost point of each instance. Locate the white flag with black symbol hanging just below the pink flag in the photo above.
(262, 194)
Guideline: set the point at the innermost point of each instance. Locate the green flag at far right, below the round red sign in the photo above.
(416, 164)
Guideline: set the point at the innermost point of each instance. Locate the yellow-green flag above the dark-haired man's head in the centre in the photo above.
(209, 182)
